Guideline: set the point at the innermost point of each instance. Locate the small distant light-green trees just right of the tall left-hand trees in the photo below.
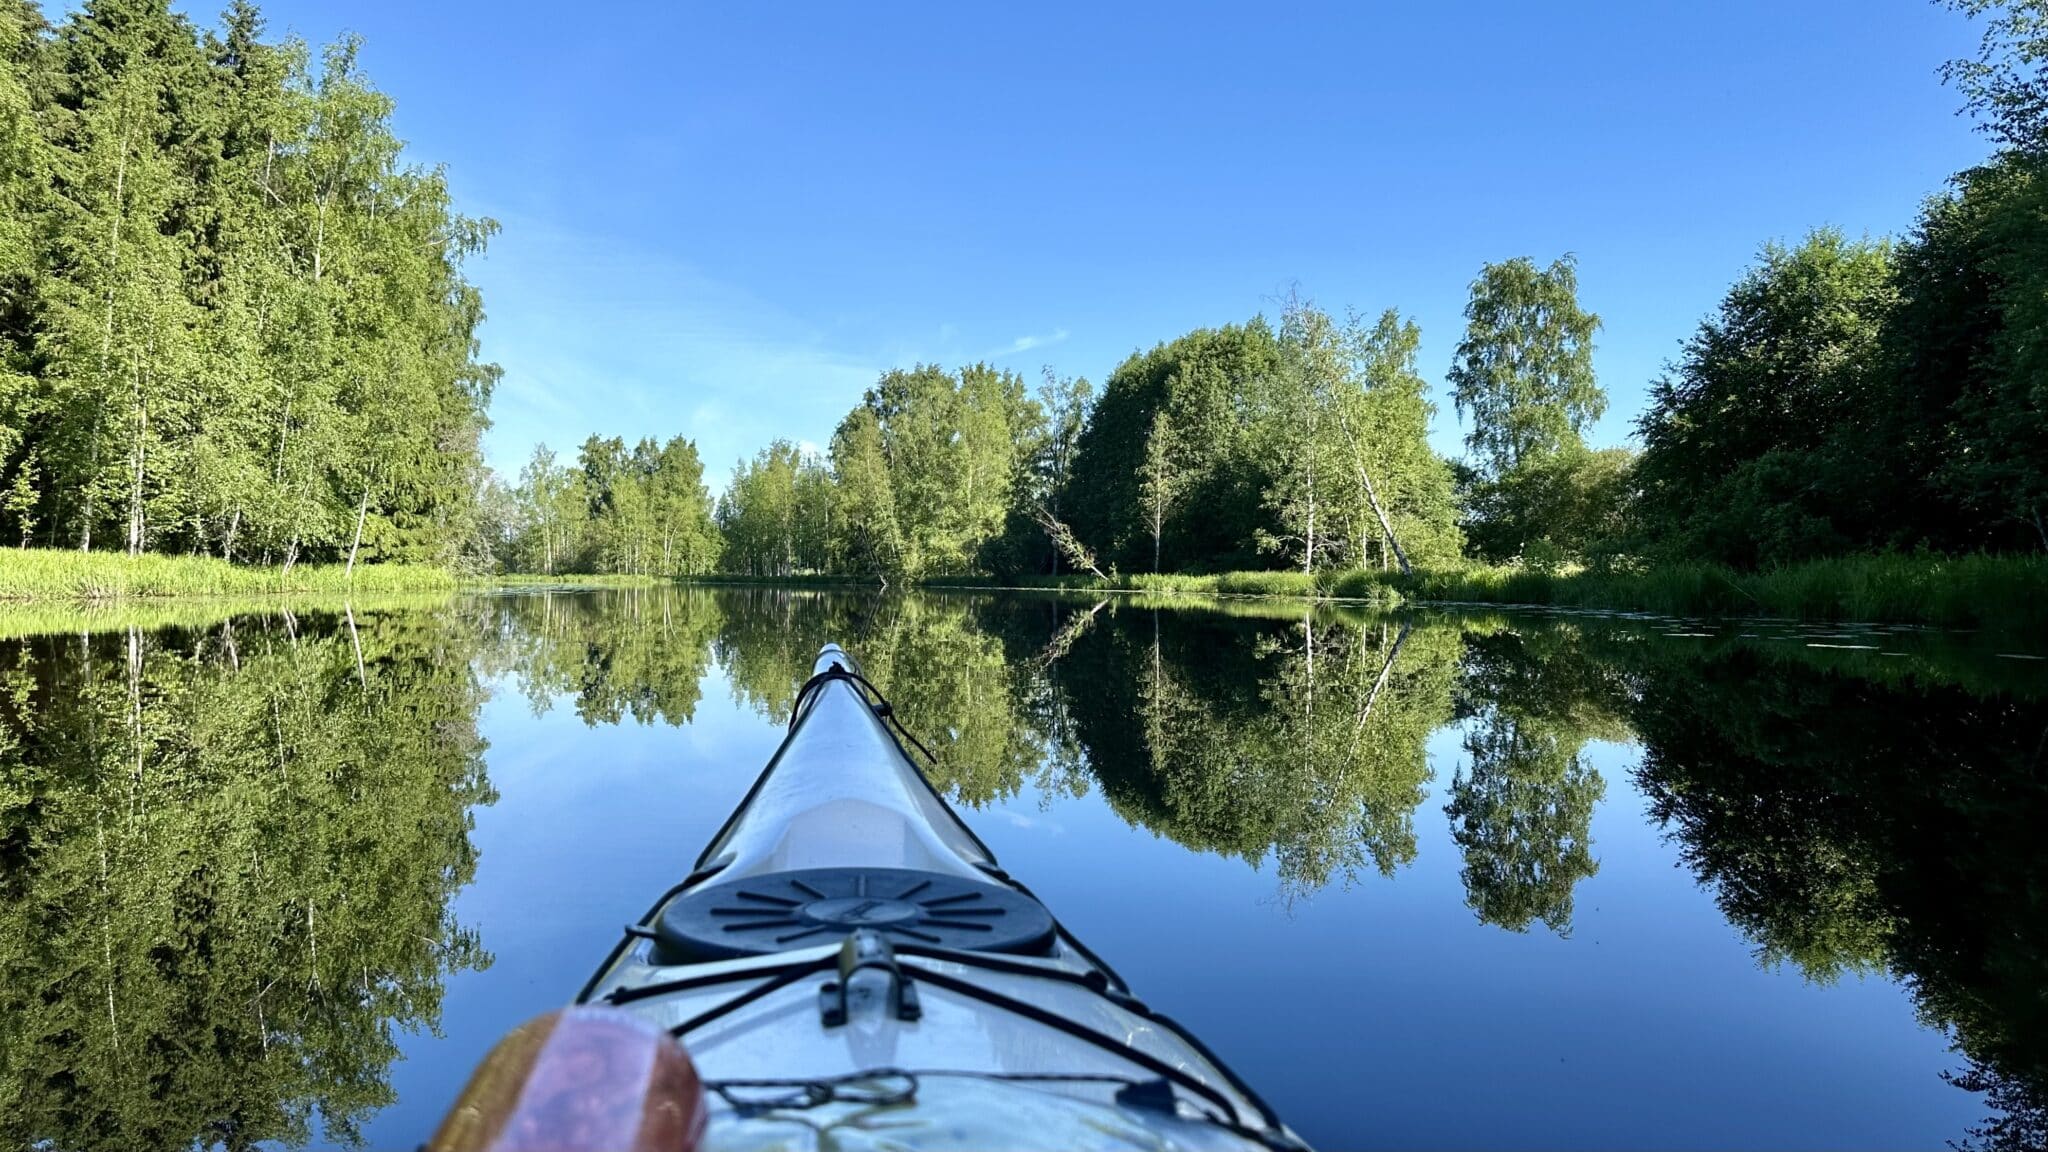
(642, 511)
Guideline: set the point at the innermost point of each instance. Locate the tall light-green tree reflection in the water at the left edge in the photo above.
(230, 858)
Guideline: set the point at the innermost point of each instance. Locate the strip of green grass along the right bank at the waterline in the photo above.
(1947, 591)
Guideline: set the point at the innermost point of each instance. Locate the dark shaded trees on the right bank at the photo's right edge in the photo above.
(1854, 395)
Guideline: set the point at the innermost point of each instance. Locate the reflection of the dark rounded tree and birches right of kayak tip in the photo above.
(1295, 741)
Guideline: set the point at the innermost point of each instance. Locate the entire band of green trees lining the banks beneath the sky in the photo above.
(234, 323)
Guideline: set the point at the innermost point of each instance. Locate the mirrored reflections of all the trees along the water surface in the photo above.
(228, 852)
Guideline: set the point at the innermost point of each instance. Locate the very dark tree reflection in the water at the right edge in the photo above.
(1857, 827)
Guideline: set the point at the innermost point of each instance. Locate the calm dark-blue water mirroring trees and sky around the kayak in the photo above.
(1428, 882)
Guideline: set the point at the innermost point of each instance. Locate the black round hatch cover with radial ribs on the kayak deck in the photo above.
(812, 907)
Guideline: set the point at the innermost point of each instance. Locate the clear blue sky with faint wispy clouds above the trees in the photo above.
(724, 220)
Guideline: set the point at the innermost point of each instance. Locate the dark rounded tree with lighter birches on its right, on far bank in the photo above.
(1232, 446)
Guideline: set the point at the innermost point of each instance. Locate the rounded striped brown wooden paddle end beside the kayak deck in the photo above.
(579, 1079)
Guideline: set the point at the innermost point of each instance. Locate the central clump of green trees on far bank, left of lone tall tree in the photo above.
(1299, 444)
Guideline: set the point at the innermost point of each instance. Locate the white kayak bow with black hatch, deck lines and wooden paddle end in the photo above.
(847, 966)
